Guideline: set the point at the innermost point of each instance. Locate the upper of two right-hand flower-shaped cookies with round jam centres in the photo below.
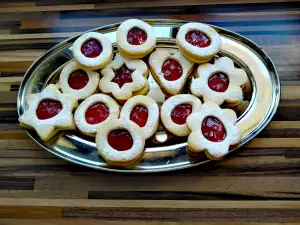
(219, 82)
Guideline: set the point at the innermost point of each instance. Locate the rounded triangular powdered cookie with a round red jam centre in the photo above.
(170, 69)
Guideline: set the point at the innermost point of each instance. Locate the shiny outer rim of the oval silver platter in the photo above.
(260, 126)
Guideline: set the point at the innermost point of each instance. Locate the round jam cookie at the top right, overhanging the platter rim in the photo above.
(198, 42)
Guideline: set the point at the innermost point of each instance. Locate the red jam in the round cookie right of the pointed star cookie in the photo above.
(96, 113)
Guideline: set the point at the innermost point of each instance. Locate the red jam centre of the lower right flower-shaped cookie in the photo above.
(213, 129)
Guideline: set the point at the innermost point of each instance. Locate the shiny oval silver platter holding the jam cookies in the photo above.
(162, 153)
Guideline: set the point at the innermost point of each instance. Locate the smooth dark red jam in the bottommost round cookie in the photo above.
(120, 139)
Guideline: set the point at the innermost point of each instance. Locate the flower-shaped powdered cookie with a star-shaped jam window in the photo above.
(123, 77)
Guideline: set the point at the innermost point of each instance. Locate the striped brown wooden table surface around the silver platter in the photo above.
(259, 183)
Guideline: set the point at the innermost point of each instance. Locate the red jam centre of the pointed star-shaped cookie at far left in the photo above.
(48, 108)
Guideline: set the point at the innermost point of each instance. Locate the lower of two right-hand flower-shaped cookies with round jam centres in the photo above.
(213, 131)
